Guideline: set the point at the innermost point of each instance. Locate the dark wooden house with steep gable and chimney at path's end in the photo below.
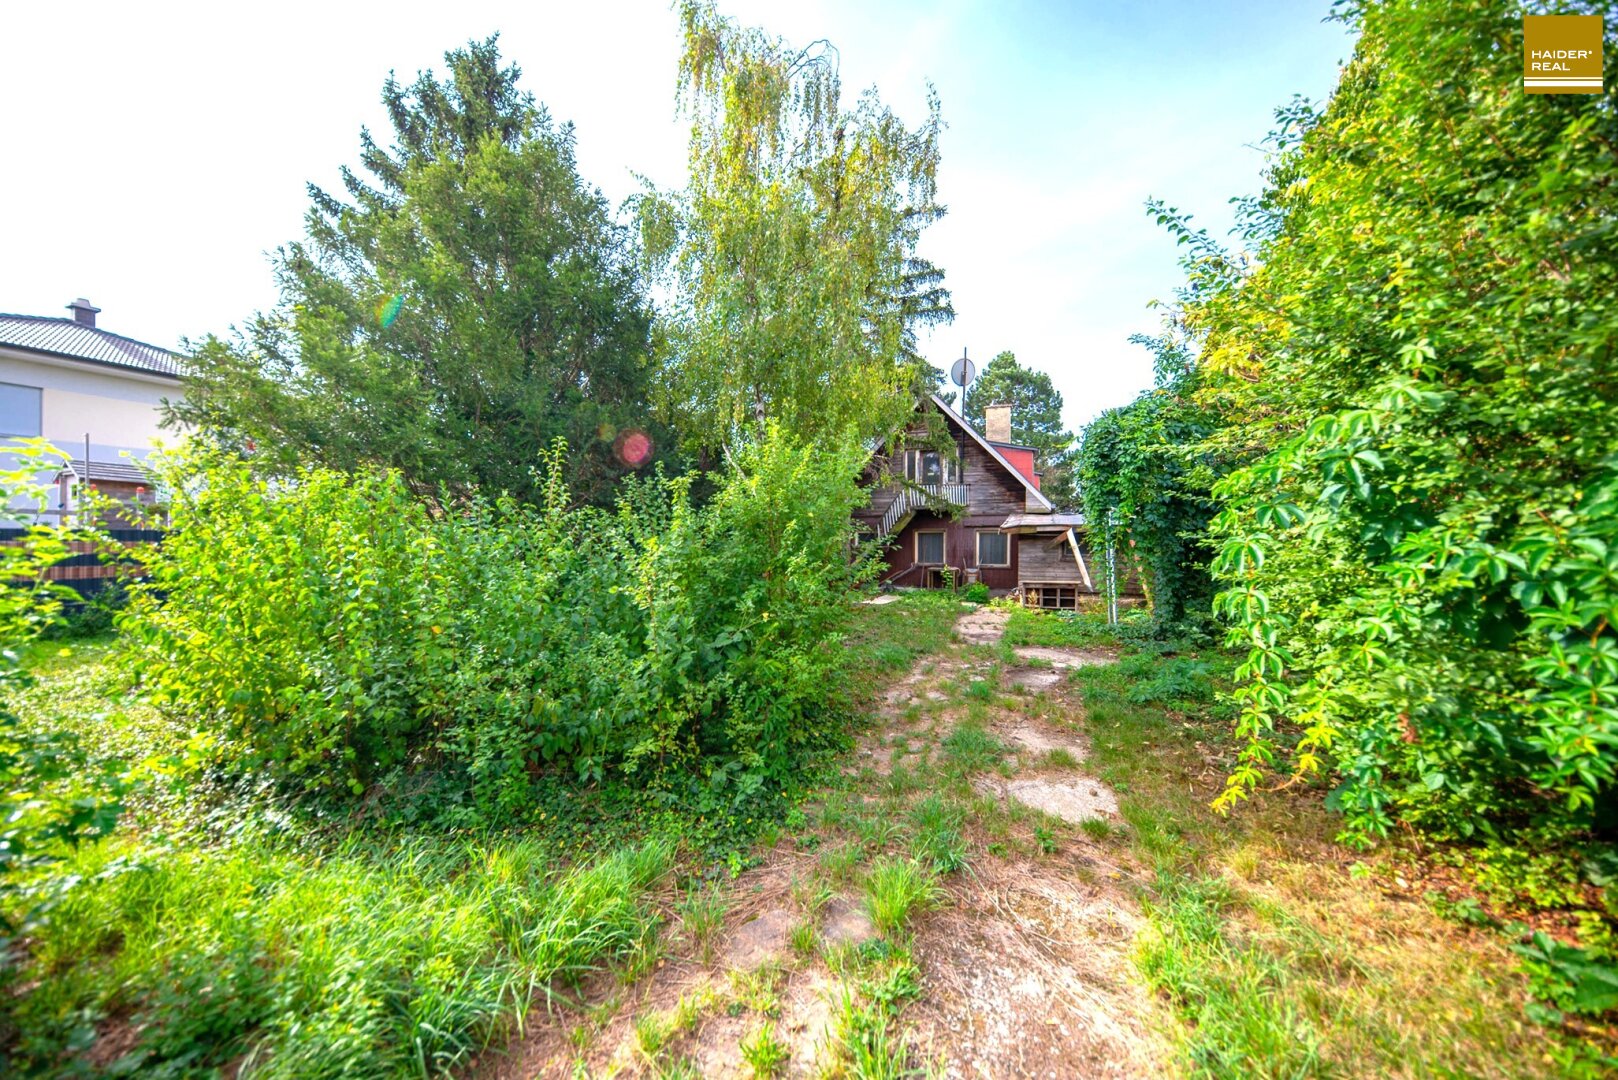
(960, 506)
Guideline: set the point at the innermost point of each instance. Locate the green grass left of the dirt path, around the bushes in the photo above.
(219, 932)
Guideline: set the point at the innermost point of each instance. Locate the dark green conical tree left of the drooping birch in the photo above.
(468, 304)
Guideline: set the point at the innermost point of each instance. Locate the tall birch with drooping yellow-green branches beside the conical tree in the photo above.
(797, 287)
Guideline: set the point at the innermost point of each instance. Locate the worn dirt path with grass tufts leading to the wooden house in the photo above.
(1022, 969)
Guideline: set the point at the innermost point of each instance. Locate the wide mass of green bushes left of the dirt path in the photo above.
(334, 631)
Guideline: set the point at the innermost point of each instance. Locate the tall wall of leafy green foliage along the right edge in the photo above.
(1415, 367)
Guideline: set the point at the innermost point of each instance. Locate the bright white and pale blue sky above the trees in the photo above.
(158, 151)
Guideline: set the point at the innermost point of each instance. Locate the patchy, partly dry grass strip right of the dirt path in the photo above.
(1276, 951)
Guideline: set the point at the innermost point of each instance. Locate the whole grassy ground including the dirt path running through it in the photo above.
(910, 912)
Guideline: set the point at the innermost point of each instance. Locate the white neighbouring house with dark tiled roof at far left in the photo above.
(93, 394)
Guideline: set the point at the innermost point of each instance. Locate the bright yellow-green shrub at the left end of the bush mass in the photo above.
(290, 621)
